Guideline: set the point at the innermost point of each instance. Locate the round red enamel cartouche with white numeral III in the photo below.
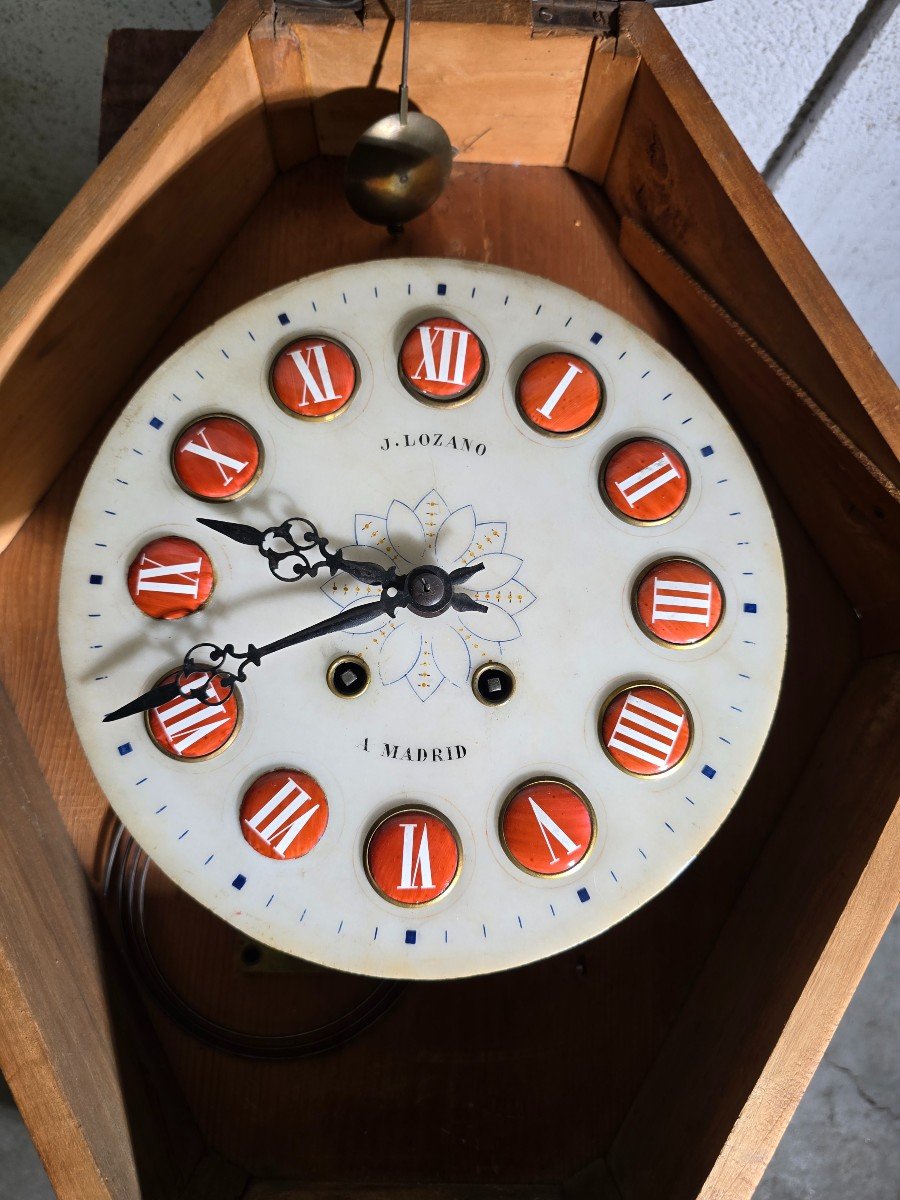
(679, 603)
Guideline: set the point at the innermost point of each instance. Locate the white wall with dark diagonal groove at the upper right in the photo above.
(814, 85)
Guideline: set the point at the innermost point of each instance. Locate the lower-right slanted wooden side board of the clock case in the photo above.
(742, 1052)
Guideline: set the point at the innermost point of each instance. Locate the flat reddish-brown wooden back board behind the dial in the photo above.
(453, 1084)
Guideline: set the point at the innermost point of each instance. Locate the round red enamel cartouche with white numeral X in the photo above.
(217, 459)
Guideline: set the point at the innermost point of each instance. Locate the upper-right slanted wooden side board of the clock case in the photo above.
(680, 173)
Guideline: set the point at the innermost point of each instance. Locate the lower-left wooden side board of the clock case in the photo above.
(76, 1054)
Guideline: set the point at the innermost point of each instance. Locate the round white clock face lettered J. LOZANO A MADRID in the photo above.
(427, 413)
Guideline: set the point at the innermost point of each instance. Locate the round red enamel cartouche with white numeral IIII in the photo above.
(646, 730)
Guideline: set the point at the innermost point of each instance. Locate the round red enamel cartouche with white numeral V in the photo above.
(548, 827)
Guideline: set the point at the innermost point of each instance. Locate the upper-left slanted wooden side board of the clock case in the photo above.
(107, 279)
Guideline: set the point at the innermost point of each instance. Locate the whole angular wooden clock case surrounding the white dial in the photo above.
(665, 1059)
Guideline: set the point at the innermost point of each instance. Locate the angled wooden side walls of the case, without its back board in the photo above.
(268, 89)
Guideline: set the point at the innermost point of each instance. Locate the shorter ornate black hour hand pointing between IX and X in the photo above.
(289, 549)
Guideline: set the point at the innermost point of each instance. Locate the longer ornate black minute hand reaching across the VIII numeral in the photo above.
(208, 662)
